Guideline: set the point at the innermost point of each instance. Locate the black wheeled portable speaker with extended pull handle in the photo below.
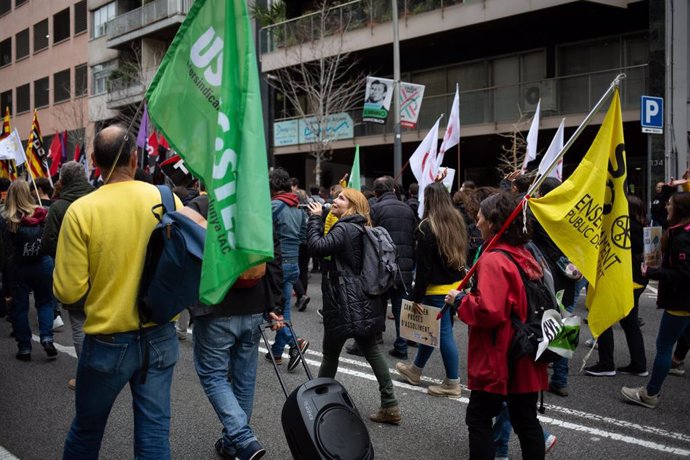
(320, 419)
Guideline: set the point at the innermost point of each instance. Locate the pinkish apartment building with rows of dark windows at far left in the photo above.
(43, 66)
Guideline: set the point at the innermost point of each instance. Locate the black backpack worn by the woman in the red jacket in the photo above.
(528, 335)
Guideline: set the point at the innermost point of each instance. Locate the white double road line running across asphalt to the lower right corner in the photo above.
(548, 420)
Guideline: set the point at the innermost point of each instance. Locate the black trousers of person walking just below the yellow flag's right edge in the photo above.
(633, 336)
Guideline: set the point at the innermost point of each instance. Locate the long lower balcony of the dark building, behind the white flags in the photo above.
(488, 111)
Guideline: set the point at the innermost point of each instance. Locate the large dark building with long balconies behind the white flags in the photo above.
(506, 56)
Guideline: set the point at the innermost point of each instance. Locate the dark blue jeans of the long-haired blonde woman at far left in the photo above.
(37, 277)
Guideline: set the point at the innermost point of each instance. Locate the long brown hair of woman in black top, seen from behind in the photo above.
(447, 224)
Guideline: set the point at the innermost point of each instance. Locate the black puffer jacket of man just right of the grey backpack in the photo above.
(400, 221)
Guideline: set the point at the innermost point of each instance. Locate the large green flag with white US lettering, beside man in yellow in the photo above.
(205, 99)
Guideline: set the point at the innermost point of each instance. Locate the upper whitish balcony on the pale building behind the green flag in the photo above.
(159, 19)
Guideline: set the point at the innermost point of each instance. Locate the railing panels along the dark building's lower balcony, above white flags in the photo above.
(561, 96)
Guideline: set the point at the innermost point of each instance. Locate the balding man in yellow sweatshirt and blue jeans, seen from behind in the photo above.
(100, 258)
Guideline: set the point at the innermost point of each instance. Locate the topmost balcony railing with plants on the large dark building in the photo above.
(346, 17)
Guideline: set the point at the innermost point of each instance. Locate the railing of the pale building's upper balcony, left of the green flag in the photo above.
(145, 15)
